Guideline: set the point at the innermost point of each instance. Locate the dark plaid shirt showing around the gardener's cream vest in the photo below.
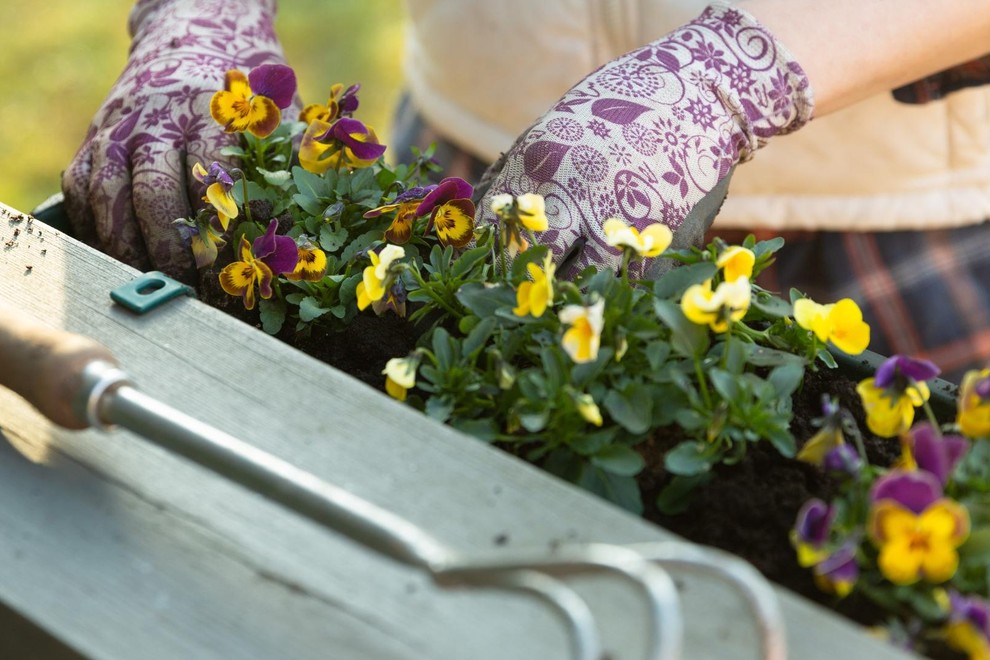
(924, 294)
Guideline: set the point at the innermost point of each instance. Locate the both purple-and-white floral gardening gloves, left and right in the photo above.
(652, 136)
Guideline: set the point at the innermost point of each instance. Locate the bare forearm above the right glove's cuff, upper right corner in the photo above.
(853, 49)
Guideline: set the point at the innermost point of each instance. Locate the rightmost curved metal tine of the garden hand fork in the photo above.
(739, 574)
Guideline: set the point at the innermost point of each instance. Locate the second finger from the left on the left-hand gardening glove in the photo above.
(110, 202)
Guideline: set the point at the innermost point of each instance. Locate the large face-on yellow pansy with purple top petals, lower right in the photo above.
(916, 529)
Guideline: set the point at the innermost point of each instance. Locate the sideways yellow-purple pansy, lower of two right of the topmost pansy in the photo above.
(346, 142)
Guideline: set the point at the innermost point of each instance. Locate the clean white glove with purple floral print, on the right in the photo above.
(653, 135)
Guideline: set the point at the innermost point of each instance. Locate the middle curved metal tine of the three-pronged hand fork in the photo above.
(666, 639)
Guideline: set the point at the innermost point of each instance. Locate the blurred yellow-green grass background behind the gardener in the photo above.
(60, 58)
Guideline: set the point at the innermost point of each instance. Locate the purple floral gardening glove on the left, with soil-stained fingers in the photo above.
(132, 175)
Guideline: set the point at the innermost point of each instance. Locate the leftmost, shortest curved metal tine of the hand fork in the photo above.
(577, 616)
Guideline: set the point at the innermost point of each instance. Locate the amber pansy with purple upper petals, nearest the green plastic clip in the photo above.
(268, 256)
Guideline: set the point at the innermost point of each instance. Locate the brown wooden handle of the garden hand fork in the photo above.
(45, 366)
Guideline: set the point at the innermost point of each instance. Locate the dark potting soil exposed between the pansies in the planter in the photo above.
(748, 509)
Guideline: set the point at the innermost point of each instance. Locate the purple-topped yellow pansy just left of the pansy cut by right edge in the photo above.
(897, 388)
